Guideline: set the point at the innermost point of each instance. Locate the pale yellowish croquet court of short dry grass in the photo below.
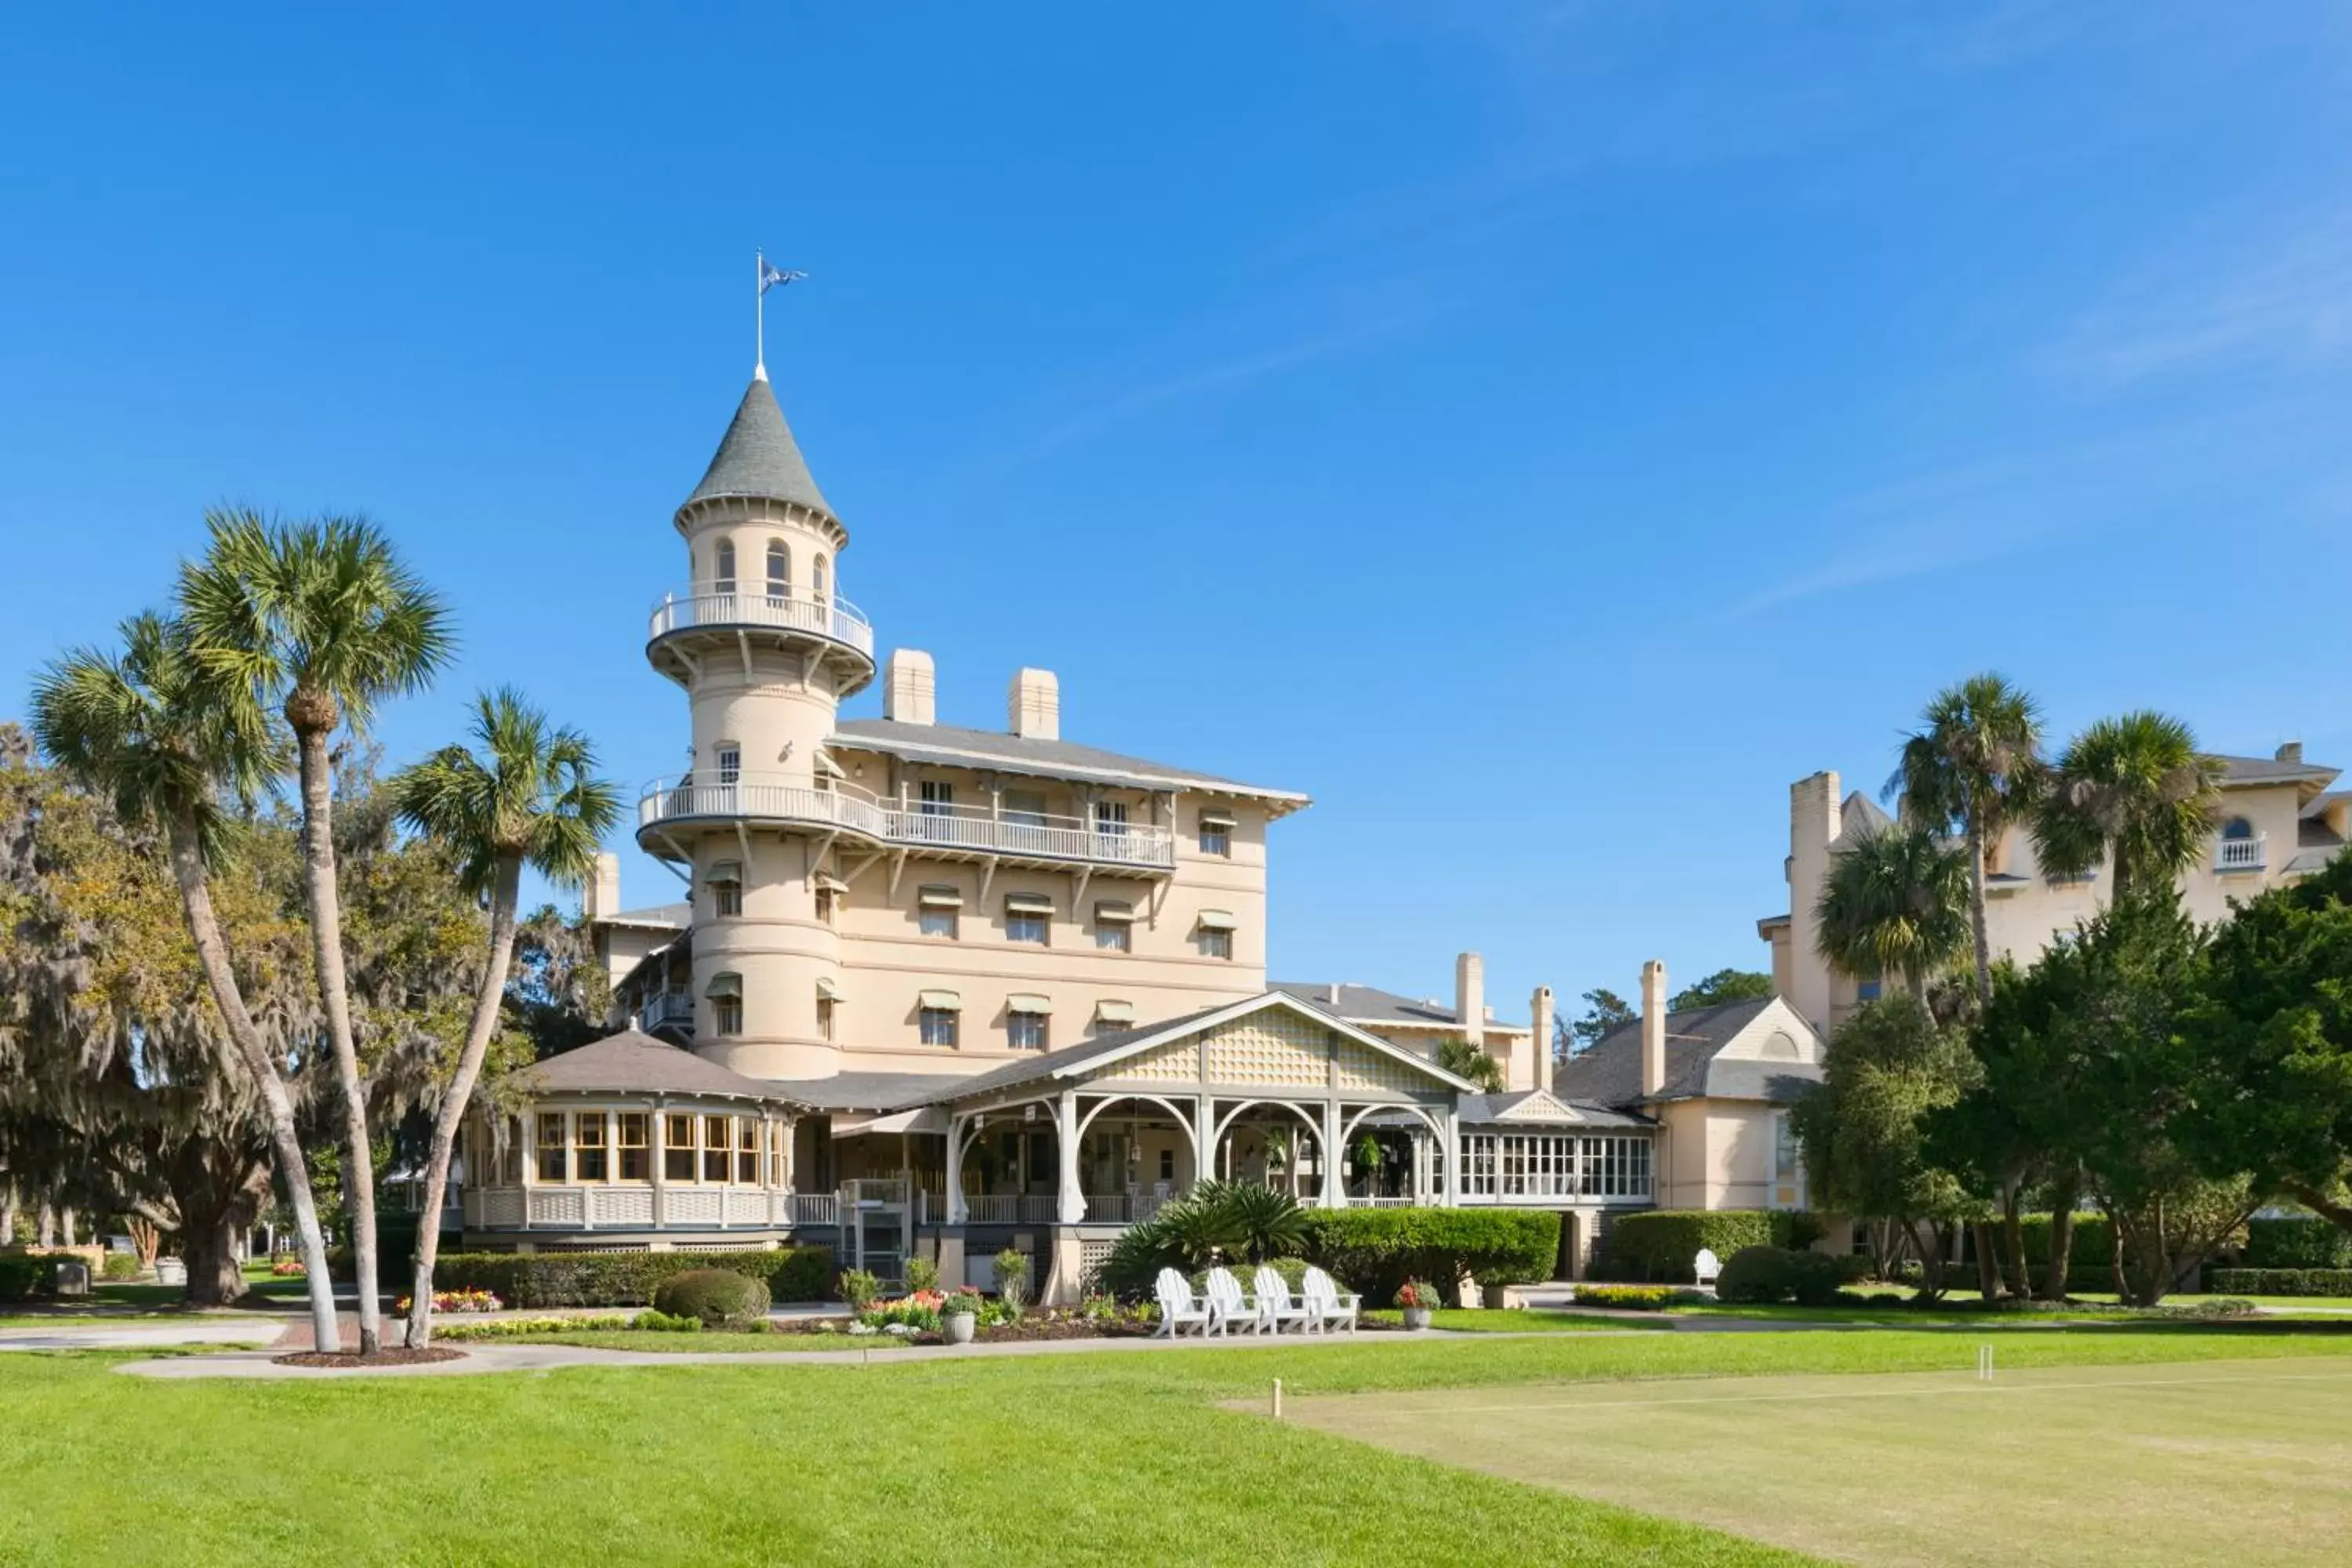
(2205, 1466)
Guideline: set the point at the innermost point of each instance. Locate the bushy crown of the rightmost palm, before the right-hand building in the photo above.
(2134, 786)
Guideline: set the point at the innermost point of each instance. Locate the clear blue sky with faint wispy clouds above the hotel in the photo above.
(1542, 434)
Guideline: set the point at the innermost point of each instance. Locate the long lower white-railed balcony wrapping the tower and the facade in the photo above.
(940, 831)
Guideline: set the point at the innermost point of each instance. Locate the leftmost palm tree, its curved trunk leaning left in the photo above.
(154, 732)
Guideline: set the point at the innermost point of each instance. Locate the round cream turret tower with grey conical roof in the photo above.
(766, 648)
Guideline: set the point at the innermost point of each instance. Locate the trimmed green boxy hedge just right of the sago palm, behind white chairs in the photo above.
(1379, 1249)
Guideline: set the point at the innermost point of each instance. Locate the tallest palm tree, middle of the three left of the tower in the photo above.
(323, 619)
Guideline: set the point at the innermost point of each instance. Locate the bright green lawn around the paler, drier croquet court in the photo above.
(1118, 1459)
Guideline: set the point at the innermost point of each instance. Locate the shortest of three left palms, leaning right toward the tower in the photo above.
(528, 798)
